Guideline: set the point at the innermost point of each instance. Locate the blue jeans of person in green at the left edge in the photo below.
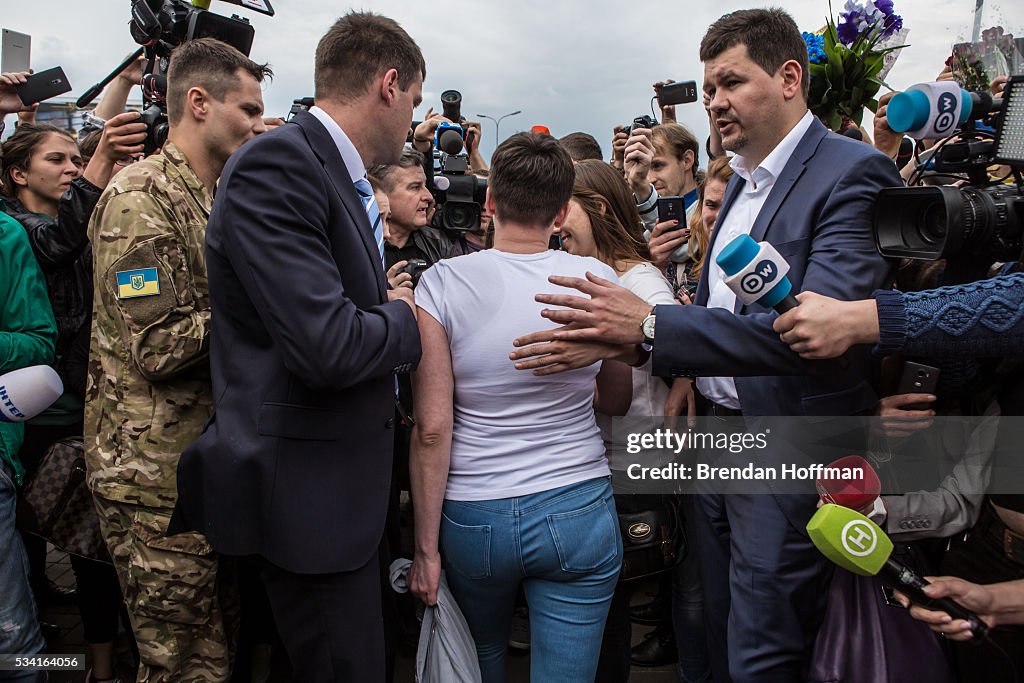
(19, 626)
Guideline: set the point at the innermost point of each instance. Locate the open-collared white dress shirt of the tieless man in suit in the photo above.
(739, 221)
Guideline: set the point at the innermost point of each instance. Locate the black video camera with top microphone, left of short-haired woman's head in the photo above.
(458, 193)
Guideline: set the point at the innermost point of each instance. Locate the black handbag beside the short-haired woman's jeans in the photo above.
(654, 540)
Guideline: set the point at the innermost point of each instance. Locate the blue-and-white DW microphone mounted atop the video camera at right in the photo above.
(936, 110)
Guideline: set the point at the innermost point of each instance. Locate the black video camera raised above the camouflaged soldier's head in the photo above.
(160, 26)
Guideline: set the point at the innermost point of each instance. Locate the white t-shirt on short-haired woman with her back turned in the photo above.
(515, 434)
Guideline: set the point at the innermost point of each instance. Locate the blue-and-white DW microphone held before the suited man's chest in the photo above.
(756, 273)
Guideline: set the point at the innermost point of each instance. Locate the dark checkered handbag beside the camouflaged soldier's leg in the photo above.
(58, 506)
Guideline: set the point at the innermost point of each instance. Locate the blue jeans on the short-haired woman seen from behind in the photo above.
(565, 548)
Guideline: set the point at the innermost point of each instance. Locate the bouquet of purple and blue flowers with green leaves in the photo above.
(848, 62)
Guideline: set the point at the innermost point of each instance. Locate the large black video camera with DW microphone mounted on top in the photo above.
(974, 226)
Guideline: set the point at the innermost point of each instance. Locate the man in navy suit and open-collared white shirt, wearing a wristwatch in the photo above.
(810, 194)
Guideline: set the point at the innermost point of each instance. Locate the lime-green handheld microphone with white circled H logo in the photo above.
(857, 544)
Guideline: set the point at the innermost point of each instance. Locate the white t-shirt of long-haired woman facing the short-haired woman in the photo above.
(650, 393)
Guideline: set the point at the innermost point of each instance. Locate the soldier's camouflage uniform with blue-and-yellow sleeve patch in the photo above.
(149, 398)
